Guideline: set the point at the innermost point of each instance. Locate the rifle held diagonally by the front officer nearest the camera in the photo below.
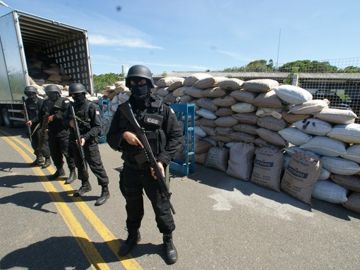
(126, 110)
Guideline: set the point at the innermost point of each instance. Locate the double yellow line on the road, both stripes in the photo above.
(71, 221)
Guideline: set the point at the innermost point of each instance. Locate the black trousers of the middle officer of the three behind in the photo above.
(59, 147)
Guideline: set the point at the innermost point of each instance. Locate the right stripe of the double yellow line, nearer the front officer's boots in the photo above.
(112, 241)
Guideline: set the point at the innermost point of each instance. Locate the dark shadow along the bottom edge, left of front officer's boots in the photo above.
(64, 253)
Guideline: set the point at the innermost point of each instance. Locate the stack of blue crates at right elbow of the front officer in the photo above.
(186, 115)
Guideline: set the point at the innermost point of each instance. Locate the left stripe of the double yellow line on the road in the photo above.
(73, 224)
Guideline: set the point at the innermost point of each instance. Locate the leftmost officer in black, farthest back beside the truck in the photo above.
(39, 141)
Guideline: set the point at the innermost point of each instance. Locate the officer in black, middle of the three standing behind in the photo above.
(55, 109)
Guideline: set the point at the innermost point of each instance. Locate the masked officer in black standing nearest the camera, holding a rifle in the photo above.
(165, 136)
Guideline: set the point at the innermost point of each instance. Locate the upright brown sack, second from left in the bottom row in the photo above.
(240, 161)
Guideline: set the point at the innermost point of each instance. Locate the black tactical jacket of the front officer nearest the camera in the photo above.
(164, 140)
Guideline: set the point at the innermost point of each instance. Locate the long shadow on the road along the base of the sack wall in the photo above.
(221, 180)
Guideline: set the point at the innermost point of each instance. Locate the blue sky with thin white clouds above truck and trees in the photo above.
(199, 35)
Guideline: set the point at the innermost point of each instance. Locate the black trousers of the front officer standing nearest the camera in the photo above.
(132, 184)
